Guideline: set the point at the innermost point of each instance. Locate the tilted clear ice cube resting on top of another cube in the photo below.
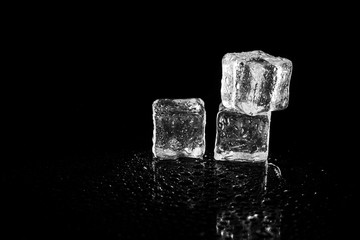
(255, 82)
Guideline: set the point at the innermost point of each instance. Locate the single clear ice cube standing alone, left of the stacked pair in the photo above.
(179, 128)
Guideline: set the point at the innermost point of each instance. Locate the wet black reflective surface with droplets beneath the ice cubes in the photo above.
(131, 196)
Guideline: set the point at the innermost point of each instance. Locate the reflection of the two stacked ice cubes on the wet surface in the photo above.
(247, 213)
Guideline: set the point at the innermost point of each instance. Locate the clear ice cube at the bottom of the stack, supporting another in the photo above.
(240, 136)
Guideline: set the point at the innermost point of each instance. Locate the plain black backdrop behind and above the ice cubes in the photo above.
(85, 81)
